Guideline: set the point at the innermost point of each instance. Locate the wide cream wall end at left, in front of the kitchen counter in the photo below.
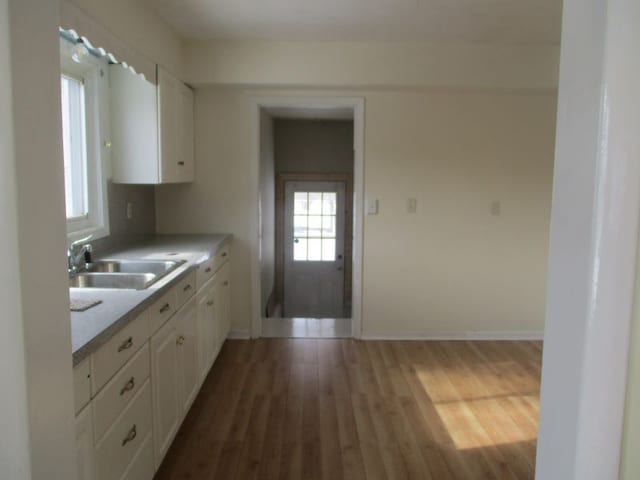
(42, 236)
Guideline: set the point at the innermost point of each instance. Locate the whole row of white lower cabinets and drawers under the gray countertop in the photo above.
(133, 393)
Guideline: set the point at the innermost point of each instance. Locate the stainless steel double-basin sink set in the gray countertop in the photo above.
(123, 274)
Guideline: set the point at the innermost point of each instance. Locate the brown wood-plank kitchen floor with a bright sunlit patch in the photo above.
(344, 409)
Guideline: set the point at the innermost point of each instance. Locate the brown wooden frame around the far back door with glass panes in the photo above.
(281, 179)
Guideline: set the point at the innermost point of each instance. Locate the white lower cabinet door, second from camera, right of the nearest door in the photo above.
(186, 340)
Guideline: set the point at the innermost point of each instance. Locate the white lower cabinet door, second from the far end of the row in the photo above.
(205, 304)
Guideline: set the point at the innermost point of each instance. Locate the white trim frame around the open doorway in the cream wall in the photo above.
(356, 104)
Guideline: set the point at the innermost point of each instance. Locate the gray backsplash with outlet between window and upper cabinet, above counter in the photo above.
(128, 231)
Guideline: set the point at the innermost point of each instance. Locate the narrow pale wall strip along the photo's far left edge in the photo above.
(14, 437)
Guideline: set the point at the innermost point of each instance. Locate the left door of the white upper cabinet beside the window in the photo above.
(168, 122)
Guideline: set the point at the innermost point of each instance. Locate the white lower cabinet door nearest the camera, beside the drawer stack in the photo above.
(166, 405)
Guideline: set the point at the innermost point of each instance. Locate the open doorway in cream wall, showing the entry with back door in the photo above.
(308, 274)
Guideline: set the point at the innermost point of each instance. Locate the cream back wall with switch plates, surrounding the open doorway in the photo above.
(455, 152)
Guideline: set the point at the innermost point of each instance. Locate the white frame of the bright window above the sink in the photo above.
(93, 73)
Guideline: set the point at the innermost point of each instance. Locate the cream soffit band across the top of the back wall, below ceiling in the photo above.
(389, 65)
